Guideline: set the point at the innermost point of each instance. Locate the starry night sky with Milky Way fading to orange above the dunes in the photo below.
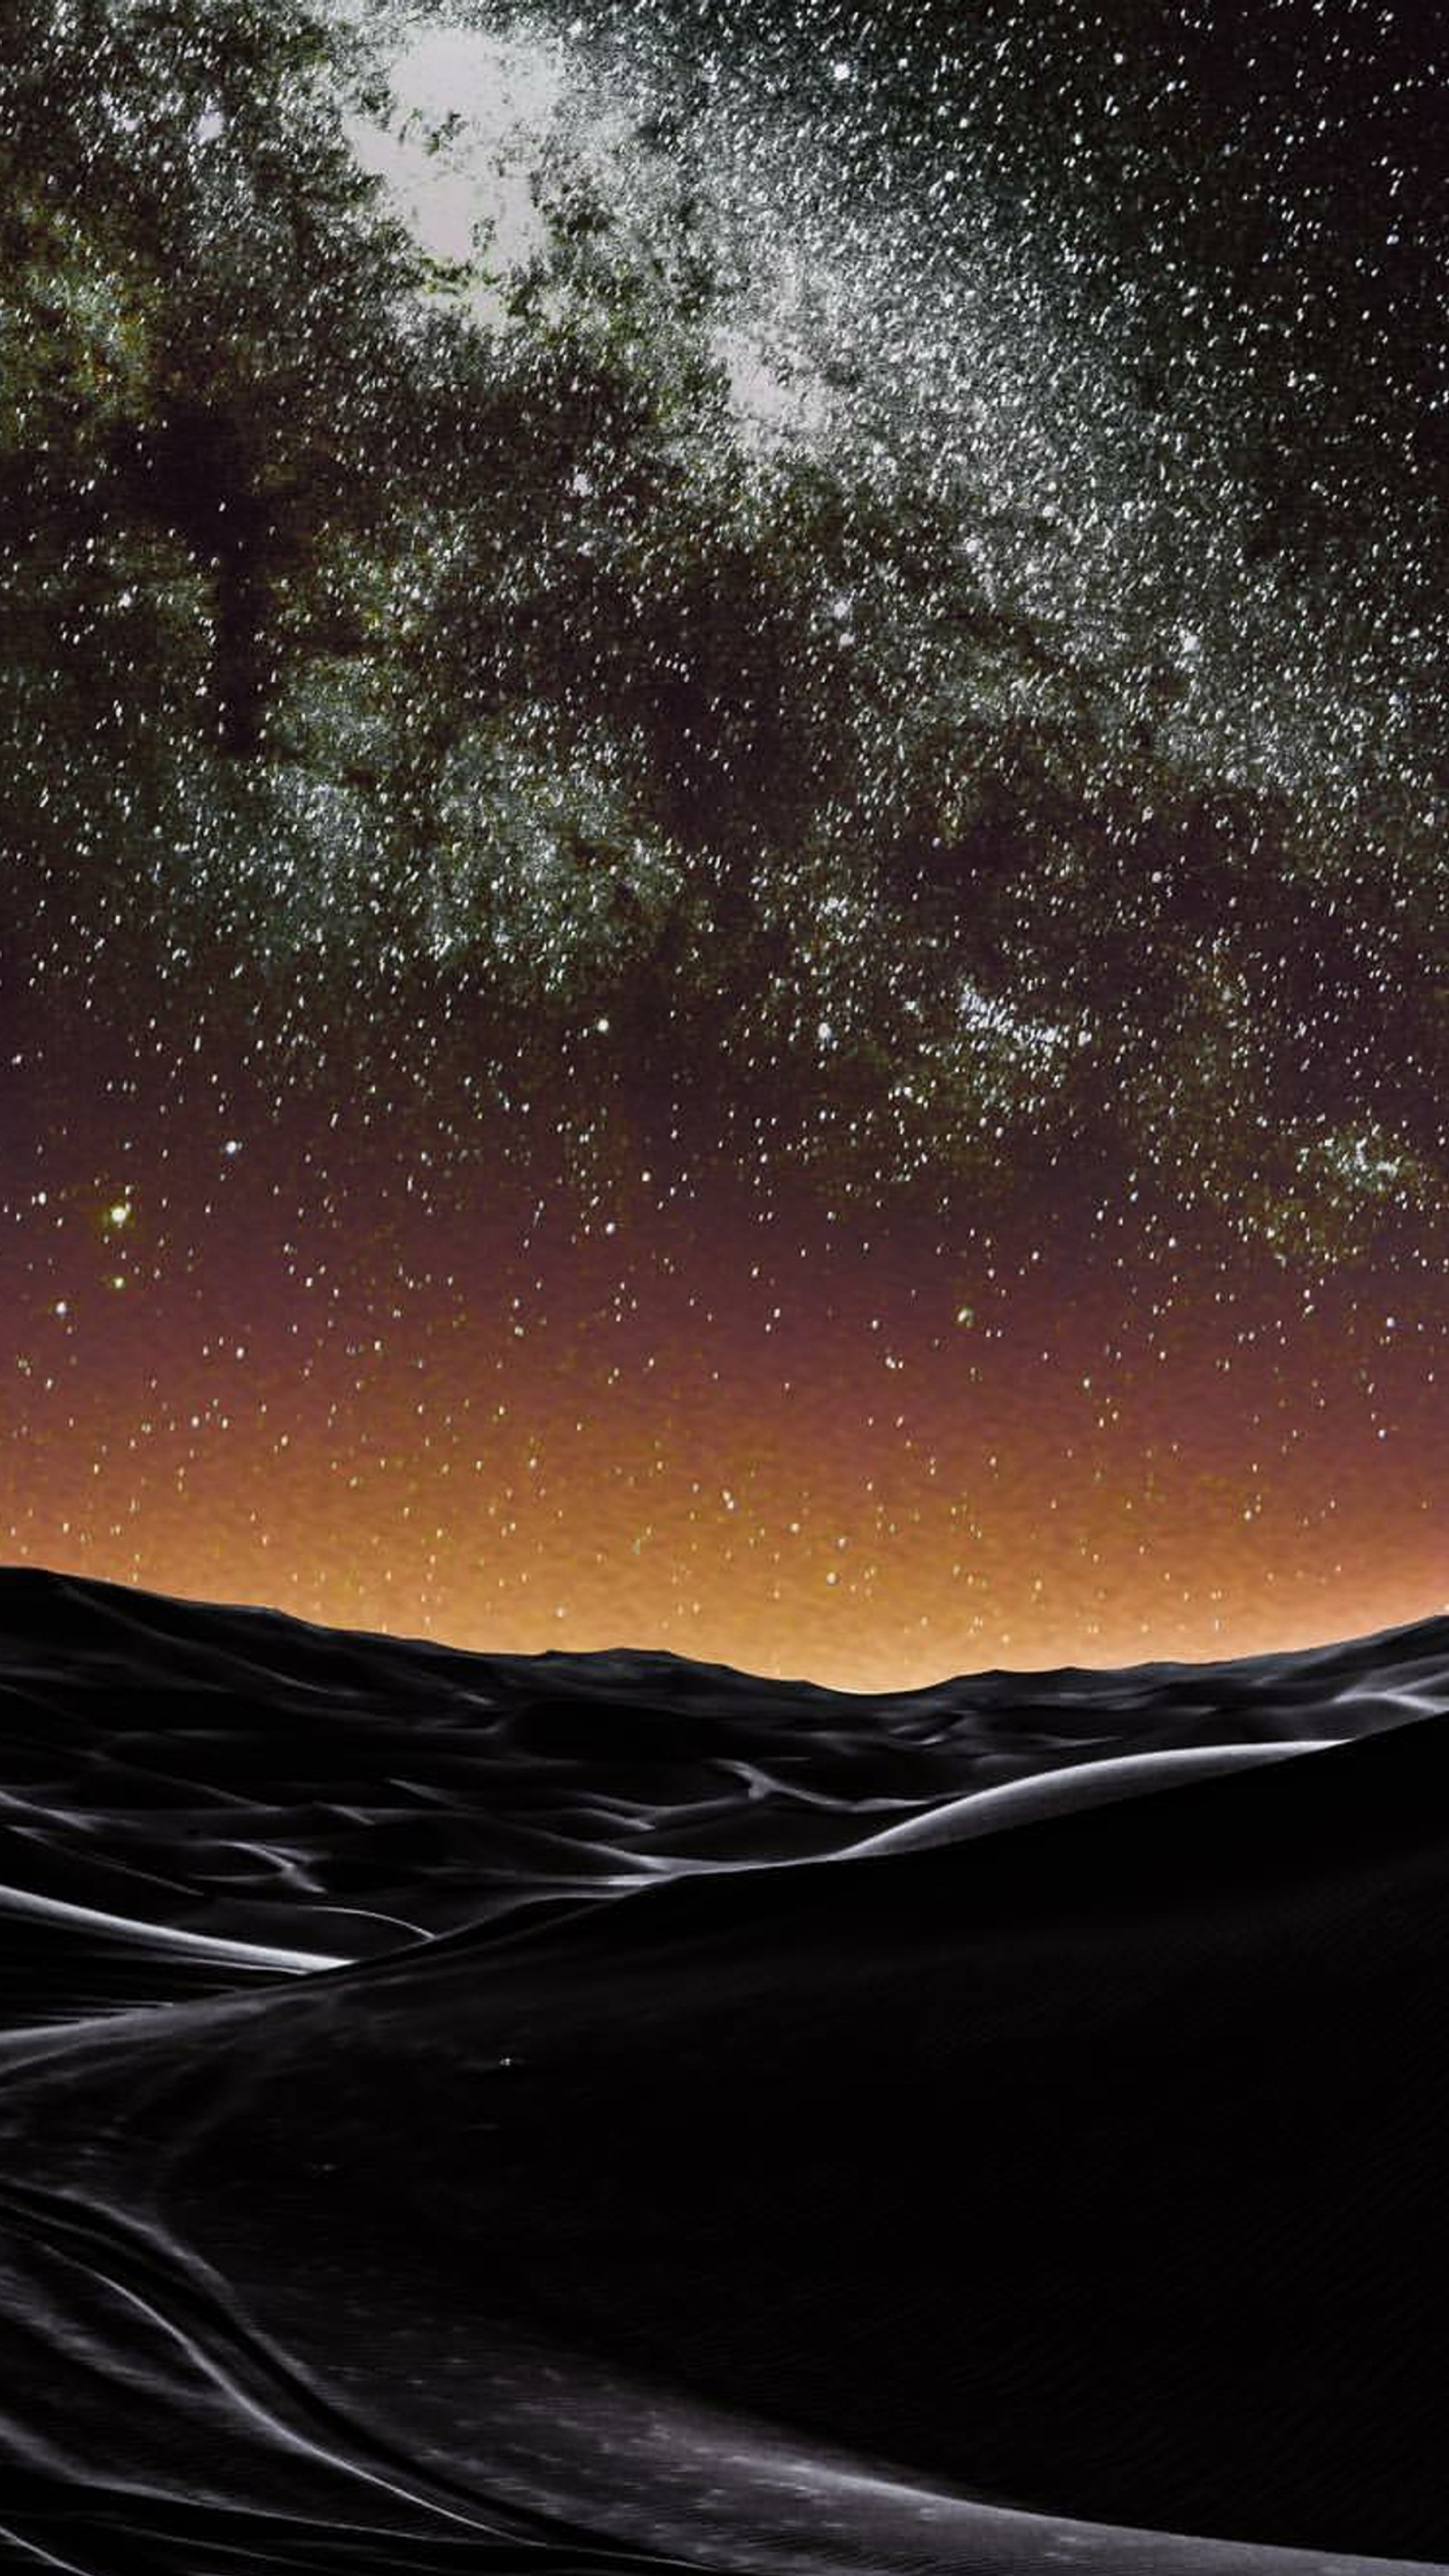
(722, 772)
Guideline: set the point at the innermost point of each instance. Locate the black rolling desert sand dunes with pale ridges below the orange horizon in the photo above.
(475, 2114)
